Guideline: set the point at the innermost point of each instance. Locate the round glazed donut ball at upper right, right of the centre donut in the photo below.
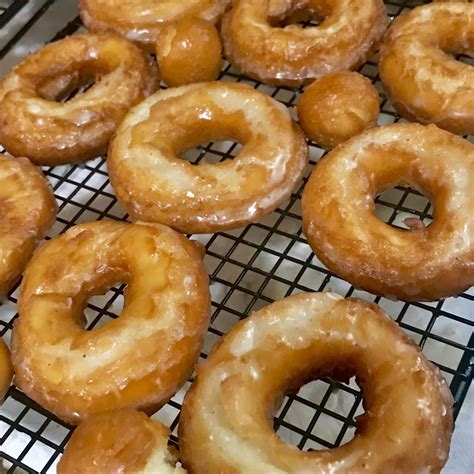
(337, 107)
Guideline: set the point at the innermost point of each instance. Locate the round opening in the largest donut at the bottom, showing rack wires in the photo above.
(318, 411)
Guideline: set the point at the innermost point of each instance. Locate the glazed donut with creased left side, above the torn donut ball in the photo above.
(139, 360)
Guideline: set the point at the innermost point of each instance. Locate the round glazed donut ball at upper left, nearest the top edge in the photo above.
(189, 50)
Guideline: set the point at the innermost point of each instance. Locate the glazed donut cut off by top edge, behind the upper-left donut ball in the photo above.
(141, 20)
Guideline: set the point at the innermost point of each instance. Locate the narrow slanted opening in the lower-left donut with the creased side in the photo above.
(103, 307)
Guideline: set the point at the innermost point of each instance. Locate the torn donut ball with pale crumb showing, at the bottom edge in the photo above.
(122, 441)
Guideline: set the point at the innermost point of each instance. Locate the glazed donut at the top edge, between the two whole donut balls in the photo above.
(293, 56)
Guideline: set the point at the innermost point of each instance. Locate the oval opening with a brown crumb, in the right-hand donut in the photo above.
(404, 208)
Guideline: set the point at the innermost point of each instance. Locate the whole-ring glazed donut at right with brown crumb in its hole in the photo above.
(339, 221)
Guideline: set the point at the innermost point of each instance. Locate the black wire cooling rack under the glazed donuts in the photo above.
(249, 268)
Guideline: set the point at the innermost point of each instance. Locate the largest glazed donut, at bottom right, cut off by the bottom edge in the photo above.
(225, 422)
